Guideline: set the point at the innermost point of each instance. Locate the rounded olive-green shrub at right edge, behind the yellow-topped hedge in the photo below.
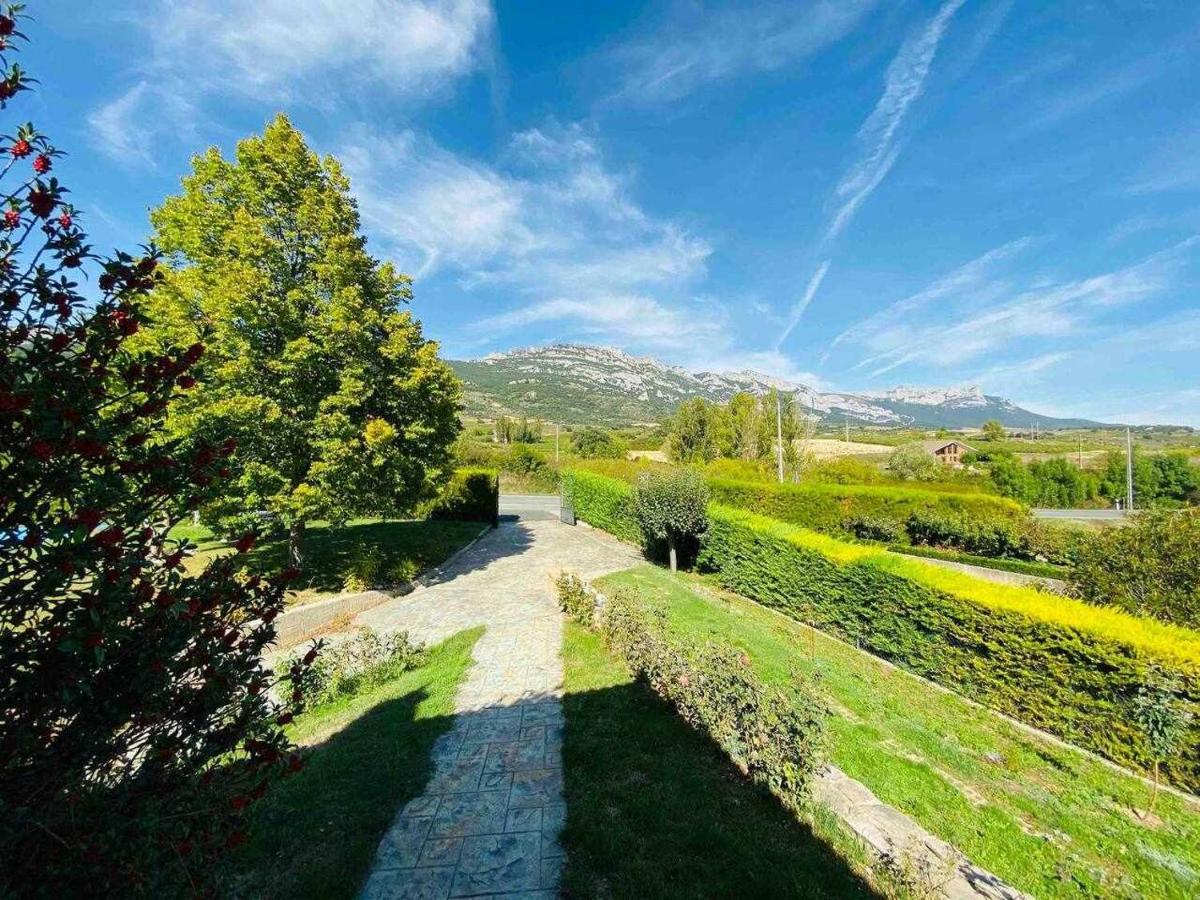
(1149, 568)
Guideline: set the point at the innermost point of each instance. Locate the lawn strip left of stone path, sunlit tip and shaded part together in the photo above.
(315, 835)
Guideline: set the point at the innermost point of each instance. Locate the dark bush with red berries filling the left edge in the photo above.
(137, 721)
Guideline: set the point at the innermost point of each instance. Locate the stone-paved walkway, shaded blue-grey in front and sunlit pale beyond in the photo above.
(489, 820)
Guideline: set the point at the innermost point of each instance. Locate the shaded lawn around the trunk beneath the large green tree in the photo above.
(331, 553)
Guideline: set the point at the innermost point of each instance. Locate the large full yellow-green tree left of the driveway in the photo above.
(339, 405)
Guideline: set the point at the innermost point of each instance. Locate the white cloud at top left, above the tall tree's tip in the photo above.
(287, 52)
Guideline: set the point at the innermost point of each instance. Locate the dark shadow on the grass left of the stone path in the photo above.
(315, 835)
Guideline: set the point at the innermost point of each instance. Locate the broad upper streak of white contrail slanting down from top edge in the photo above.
(904, 83)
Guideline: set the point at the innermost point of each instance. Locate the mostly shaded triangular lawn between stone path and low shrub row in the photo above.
(656, 811)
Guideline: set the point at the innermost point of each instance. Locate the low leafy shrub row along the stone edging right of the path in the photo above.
(778, 741)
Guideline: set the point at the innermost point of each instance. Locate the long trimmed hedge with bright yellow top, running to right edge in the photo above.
(1060, 665)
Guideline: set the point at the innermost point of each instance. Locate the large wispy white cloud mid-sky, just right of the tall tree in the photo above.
(549, 223)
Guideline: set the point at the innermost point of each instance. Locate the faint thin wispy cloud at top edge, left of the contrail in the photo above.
(700, 46)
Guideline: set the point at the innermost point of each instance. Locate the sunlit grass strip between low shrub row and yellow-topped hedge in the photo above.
(1046, 819)
